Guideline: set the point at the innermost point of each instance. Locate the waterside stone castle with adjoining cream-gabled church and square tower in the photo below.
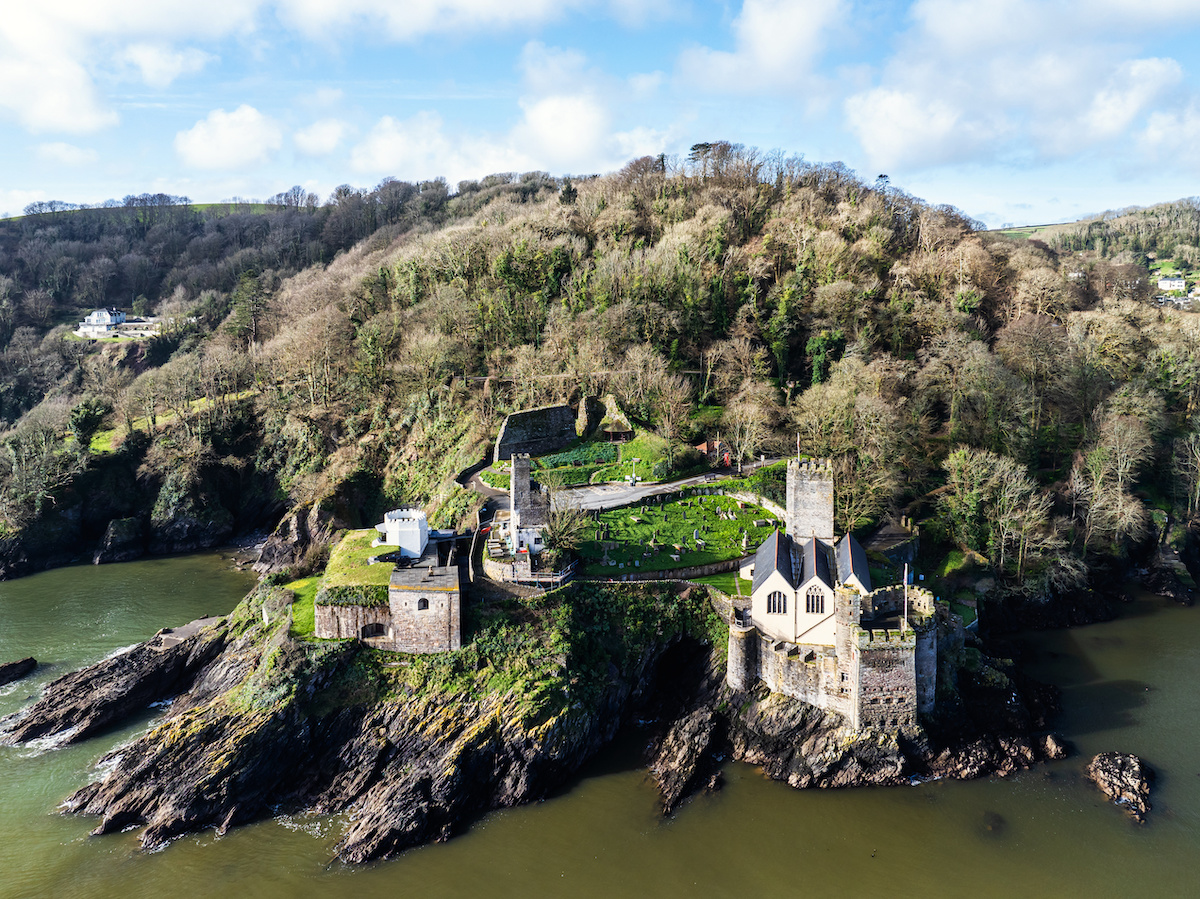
(818, 632)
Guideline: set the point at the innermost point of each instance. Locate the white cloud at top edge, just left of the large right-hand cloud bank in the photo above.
(777, 46)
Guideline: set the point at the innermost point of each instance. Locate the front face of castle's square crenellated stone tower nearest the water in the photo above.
(887, 680)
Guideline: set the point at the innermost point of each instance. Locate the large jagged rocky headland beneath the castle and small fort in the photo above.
(416, 748)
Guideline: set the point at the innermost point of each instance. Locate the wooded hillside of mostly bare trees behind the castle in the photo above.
(1022, 395)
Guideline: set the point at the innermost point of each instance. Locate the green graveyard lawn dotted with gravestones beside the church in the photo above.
(647, 541)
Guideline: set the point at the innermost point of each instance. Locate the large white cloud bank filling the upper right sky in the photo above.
(1030, 80)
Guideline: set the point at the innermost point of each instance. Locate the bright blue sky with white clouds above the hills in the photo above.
(1015, 111)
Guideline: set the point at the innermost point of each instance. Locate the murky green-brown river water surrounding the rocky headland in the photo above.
(1129, 686)
